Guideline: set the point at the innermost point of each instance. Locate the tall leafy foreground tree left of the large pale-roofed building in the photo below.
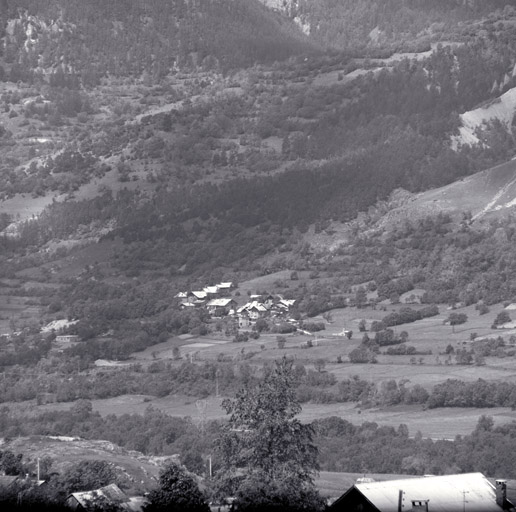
(267, 456)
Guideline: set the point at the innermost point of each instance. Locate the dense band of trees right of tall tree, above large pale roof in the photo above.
(370, 448)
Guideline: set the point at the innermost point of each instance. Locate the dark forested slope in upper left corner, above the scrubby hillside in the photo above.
(128, 37)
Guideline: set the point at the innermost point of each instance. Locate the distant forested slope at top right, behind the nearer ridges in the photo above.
(384, 24)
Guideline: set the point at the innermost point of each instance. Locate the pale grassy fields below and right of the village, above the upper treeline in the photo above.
(427, 335)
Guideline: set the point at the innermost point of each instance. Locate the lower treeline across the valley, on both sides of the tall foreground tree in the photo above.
(343, 447)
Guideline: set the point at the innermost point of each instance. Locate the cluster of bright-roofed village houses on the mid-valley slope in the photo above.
(218, 302)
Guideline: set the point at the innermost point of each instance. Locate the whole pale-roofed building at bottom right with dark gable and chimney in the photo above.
(451, 493)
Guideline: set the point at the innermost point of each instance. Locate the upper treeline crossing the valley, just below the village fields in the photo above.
(75, 379)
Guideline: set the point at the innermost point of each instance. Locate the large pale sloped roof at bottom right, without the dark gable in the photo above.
(446, 493)
